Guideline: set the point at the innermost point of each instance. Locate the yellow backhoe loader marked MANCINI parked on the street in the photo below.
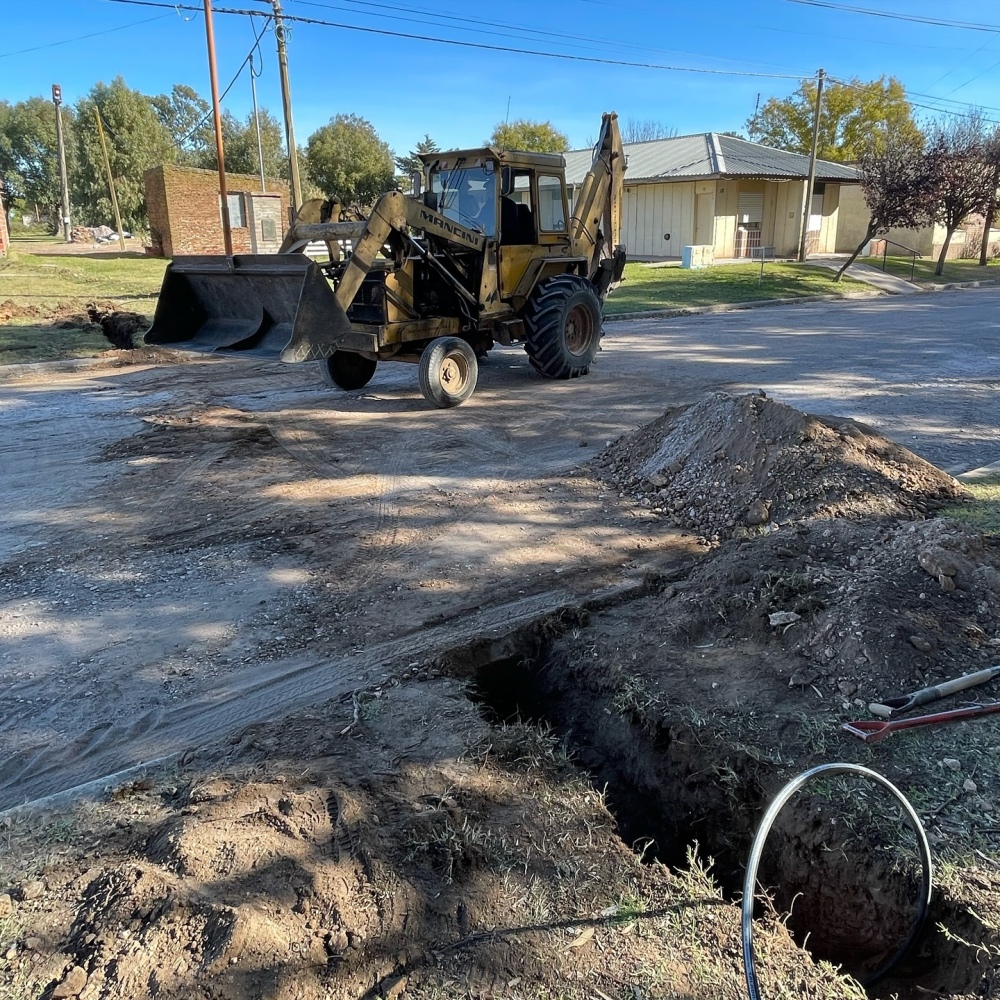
(484, 251)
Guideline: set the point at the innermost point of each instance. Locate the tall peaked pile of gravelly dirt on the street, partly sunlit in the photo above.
(734, 465)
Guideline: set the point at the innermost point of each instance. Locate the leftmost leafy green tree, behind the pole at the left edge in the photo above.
(29, 162)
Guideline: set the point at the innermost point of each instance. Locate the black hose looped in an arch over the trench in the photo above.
(757, 849)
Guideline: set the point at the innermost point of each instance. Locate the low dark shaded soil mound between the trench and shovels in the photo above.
(865, 610)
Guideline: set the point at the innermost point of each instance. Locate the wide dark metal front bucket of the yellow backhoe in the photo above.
(277, 306)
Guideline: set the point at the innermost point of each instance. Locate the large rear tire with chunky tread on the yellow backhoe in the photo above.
(563, 325)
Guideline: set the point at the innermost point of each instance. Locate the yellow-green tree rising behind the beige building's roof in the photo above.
(851, 113)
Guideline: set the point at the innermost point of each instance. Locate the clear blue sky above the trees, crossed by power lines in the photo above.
(407, 87)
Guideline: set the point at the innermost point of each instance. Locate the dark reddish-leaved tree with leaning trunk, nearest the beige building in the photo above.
(897, 185)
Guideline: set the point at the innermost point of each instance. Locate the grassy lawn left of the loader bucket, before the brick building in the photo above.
(43, 298)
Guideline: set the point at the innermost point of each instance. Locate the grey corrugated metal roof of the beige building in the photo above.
(707, 155)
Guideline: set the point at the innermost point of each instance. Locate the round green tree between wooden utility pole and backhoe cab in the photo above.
(349, 161)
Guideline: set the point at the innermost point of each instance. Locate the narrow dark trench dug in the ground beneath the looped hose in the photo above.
(840, 860)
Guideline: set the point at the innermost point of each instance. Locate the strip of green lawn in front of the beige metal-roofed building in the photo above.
(669, 287)
